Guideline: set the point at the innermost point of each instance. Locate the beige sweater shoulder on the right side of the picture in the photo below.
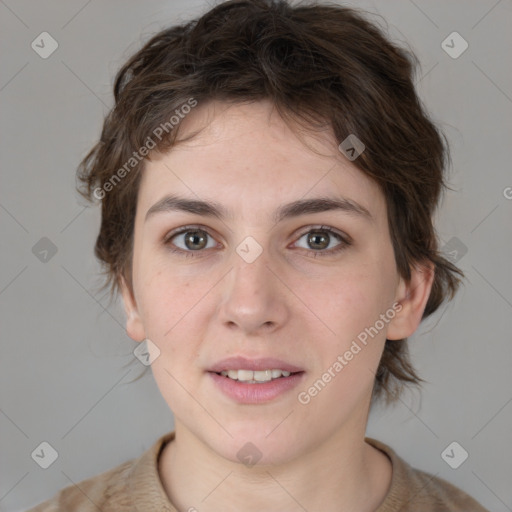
(419, 491)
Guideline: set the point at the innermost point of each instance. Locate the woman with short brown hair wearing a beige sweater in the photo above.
(267, 179)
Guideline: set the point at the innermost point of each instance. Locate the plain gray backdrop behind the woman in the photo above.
(67, 363)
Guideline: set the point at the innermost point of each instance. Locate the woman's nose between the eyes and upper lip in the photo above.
(254, 299)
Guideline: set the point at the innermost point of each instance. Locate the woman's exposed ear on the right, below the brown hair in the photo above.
(413, 296)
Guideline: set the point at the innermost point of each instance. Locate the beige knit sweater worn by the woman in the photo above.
(135, 486)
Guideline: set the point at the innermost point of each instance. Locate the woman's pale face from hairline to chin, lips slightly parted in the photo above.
(282, 288)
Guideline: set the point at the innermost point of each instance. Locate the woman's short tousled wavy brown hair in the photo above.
(319, 65)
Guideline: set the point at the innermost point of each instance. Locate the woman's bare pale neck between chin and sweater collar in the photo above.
(344, 473)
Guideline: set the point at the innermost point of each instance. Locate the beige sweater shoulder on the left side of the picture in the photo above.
(121, 489)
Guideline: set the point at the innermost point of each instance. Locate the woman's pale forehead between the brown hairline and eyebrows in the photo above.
(247, 157)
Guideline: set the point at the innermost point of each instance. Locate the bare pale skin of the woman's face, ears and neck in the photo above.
(286, 304)
